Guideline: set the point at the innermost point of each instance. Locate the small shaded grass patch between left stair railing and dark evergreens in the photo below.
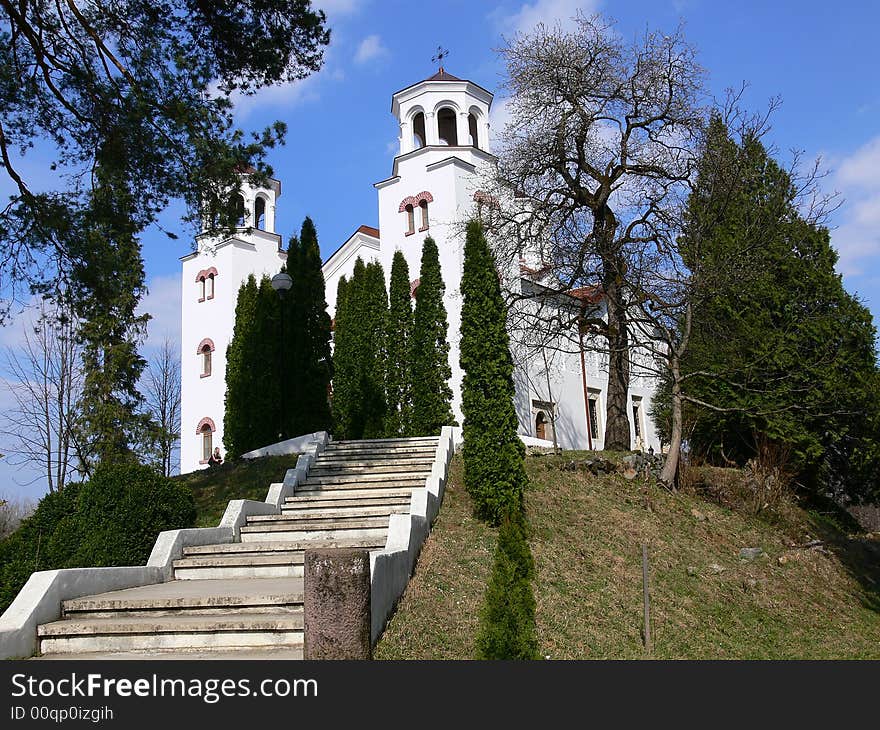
(244, 479)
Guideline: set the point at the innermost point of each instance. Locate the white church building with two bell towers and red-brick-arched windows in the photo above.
(433, 189)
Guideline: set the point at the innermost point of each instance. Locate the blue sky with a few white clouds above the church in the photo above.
(820, 57)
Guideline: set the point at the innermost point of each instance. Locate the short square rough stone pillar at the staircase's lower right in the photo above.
(337, 604)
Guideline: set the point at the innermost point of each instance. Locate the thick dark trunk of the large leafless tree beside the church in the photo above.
(617, 437)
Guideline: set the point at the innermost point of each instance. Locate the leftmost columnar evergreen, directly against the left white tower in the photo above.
(238, 416)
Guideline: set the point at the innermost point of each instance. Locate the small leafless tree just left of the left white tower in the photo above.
(162, 399)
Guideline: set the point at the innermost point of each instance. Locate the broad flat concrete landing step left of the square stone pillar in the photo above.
(192, 597)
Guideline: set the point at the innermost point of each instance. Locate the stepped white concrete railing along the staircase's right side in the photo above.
(391, 568)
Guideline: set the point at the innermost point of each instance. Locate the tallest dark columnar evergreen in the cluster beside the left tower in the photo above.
(307, 327)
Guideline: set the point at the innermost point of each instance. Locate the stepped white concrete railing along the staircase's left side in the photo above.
(39, 601)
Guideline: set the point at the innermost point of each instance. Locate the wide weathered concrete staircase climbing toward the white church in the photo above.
(245, 599)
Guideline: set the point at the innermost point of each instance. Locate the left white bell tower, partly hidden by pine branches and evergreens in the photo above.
(211, 277)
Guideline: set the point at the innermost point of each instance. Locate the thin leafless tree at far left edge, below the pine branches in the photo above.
(45, 384)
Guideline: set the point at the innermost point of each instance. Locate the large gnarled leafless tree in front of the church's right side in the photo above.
(600, 143)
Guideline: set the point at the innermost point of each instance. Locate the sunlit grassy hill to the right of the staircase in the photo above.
(707, 601)
